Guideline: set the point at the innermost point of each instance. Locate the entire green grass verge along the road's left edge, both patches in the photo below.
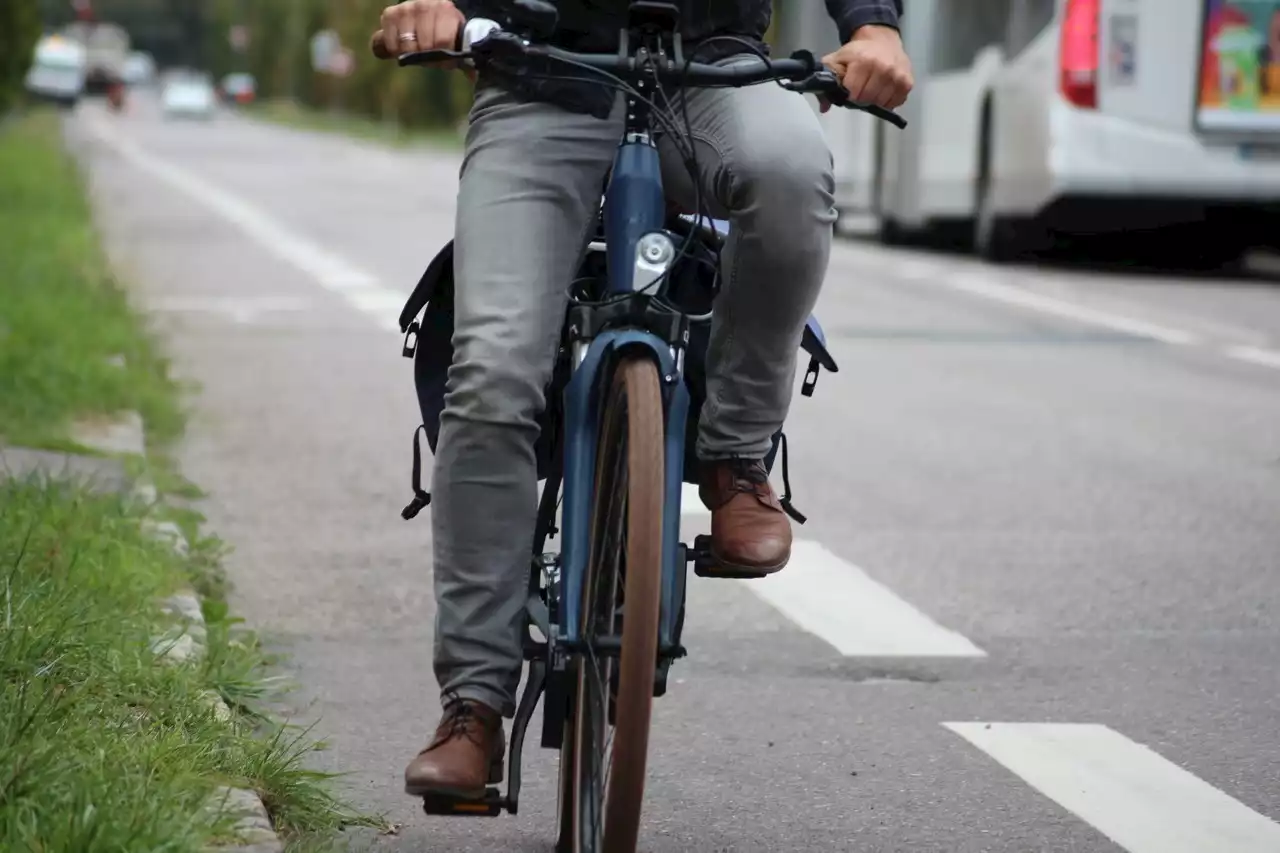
(102, 747)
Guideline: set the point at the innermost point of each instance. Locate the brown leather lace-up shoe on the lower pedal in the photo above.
(464, 758)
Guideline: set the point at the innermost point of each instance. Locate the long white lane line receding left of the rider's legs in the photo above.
(331, 271)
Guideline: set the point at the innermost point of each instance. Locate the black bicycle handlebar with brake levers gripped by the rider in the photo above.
(484, 42)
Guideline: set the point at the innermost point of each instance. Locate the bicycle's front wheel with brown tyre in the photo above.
(625, 574)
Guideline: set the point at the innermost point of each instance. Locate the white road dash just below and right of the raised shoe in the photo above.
(840, 604)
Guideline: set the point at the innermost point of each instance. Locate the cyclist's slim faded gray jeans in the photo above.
(531, 191)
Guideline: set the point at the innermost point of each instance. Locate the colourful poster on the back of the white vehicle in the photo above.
(1240, 67)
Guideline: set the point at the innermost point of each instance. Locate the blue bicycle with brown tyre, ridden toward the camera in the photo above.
(615, 434)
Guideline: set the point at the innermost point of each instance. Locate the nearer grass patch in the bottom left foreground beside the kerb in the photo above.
(102, 747)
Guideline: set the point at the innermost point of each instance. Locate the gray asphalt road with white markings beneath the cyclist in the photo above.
(1036, 608)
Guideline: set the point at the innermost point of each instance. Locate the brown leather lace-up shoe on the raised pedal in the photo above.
(751, 532)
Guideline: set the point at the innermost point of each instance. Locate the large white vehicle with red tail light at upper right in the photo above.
(1078, 117)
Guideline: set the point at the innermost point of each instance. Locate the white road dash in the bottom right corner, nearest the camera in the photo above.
(1126, 791)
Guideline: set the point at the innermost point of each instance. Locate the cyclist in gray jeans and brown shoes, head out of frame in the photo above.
(537, 157)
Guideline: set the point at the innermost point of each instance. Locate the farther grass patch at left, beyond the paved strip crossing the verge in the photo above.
(62, 314)
